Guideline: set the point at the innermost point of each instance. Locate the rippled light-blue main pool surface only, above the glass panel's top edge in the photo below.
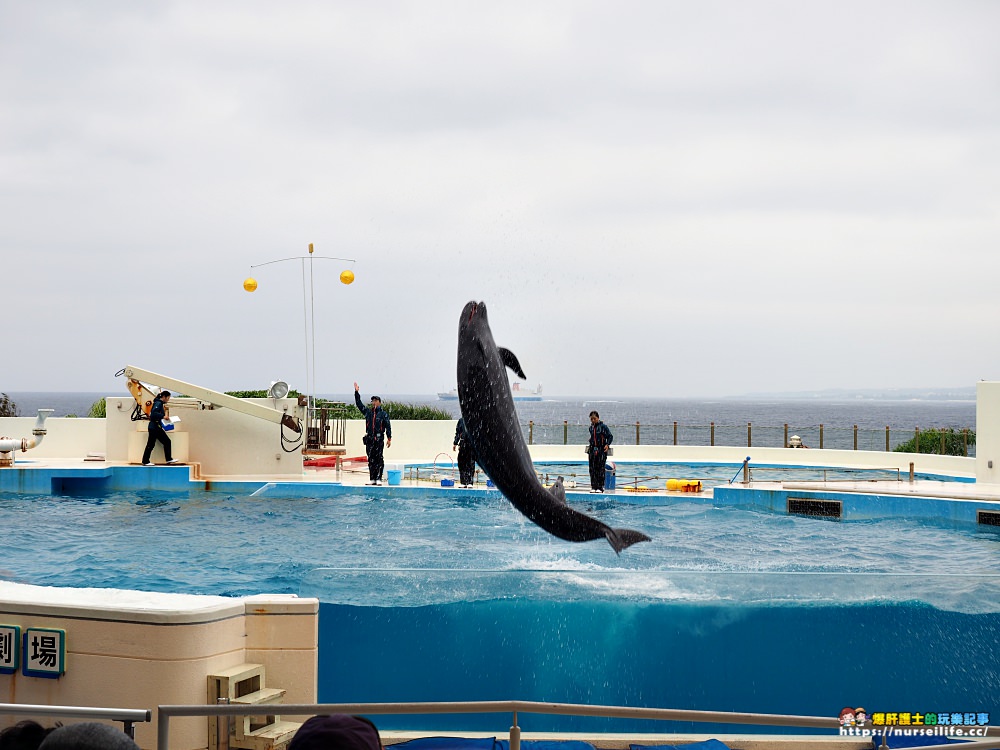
(217, 543)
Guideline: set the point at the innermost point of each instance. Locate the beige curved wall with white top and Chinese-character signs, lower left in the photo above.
(132, 649)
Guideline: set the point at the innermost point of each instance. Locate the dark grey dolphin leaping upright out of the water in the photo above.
(488, 409)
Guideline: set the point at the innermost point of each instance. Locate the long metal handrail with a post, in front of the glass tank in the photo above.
(166, 712)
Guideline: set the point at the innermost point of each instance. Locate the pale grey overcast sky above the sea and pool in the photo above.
(653, 198)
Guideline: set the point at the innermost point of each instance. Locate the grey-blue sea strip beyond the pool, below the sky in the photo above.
(830, 423)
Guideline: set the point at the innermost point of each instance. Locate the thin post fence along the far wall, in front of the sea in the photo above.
(749, 435)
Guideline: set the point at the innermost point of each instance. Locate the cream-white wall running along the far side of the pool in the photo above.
(226, 443)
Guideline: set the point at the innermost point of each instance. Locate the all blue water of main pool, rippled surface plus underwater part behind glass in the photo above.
(451, 598)
